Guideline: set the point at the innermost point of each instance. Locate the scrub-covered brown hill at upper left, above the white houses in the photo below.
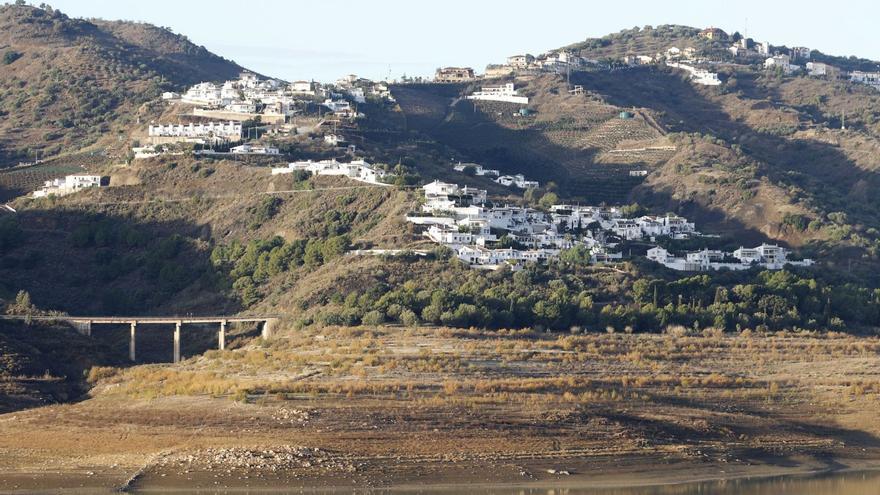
(67, 84)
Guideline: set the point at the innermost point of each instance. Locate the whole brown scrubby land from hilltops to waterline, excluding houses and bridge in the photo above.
(392, 362)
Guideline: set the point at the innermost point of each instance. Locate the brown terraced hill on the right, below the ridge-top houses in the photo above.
(761, 156)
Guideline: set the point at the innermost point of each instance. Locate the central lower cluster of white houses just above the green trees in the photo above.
(489, 236)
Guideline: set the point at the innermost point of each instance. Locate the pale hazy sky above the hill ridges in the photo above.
(325, 39)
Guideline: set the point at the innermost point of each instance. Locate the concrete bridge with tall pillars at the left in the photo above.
(83, 324)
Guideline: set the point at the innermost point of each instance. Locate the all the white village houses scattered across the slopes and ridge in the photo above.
(480, 233)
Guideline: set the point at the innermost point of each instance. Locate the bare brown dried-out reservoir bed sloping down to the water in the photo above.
(393, 406)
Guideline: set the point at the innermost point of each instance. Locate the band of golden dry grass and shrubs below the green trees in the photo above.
(457, 366)
